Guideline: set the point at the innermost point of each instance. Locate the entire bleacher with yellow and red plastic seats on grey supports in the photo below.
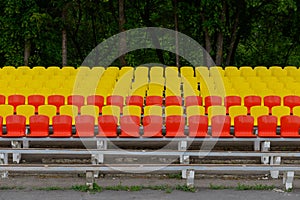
(235, 104)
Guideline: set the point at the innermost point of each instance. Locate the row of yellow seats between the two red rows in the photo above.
(133, 110)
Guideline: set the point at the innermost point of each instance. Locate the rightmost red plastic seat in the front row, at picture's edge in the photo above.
(290, 126)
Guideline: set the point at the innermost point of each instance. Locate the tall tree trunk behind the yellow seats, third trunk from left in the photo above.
(122, 29)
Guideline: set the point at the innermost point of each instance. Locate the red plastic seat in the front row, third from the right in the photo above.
(243, 126)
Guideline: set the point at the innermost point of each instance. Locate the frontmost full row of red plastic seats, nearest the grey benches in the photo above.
(152, 126)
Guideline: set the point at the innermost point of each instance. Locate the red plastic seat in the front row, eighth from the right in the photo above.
(130, 126)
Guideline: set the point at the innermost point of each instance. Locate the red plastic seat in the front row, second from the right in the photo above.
(267, 125)
